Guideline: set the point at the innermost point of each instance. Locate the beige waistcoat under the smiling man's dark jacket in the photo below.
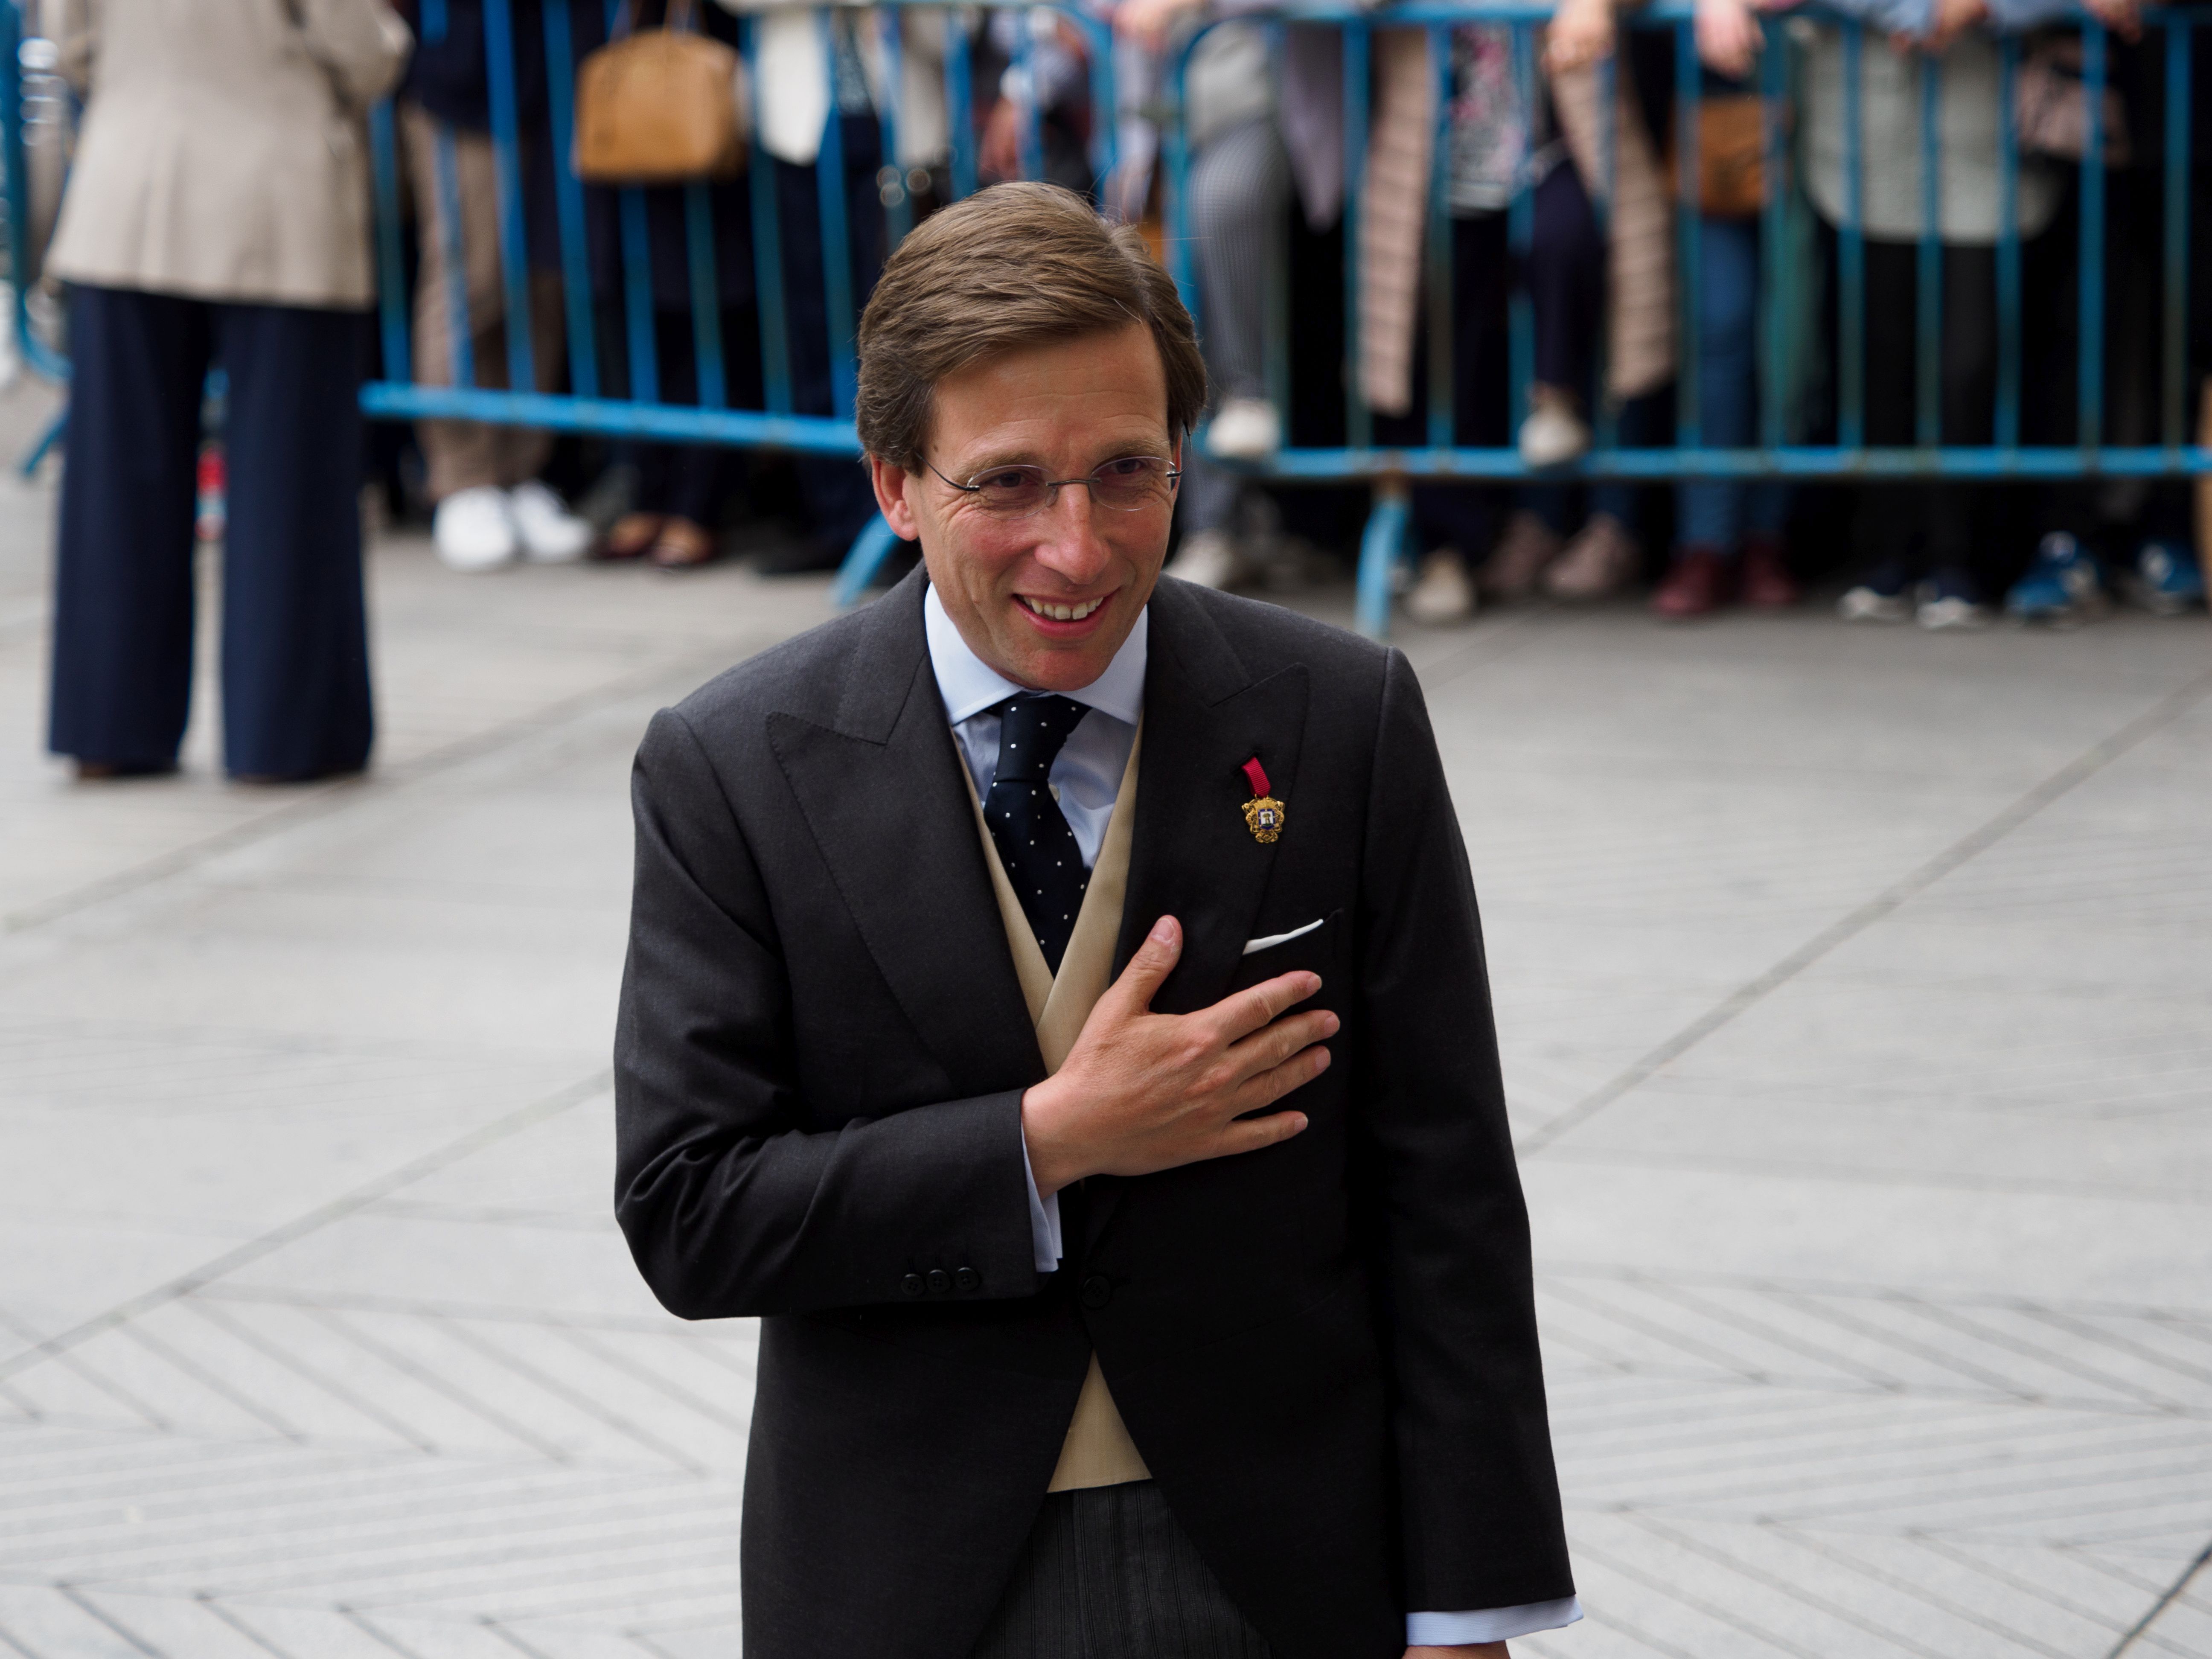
(1098, 1450)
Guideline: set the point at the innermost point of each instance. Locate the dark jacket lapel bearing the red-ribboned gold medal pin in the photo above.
(1193, 857)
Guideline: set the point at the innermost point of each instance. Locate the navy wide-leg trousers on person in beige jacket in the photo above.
(295, 627)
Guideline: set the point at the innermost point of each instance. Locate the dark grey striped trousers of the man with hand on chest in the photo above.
(1107, 1574)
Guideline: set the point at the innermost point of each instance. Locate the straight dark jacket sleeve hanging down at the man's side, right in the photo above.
(1481, 1501)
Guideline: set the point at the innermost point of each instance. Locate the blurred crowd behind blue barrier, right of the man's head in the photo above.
(1600, 280)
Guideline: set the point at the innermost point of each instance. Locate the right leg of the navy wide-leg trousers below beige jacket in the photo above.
(295, 623)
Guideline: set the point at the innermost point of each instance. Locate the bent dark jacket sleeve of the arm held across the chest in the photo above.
(731, 1202)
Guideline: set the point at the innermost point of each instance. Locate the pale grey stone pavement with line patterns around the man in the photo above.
(1855, 1003)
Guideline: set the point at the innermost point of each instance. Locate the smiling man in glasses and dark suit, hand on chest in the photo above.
(1056, 1005)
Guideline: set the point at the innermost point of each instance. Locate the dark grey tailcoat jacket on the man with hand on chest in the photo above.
(1326, 1350)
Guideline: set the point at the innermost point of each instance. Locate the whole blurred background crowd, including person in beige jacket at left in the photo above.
(220, 216)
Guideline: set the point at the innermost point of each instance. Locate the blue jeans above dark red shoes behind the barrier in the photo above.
(1724, 512)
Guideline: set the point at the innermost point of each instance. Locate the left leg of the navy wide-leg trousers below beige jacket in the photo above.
(123, 612)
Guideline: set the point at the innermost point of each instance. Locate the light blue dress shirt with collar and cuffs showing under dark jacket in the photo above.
(1085, 780)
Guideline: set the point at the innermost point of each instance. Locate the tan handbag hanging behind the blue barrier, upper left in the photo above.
(660, 105)
